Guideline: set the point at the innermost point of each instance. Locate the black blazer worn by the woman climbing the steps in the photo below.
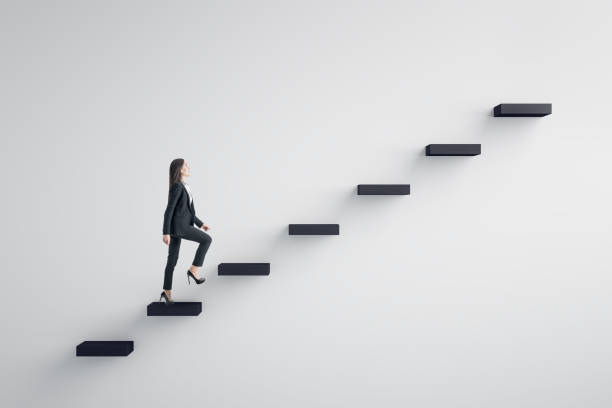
(179, 215)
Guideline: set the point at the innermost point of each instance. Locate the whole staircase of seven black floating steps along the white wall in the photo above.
(123, 348)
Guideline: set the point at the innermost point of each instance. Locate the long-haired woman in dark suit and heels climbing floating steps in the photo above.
(179, 219)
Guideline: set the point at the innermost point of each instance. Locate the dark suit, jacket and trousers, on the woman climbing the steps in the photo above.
(179, 219)
